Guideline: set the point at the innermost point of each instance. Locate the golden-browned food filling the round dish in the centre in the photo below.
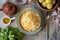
(30, 20)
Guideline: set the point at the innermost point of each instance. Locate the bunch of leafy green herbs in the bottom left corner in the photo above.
(11, 33)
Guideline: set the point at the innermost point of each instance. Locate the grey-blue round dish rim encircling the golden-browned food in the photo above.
(22, 30)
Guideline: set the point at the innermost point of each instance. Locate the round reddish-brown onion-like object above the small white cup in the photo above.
(9, 8)
